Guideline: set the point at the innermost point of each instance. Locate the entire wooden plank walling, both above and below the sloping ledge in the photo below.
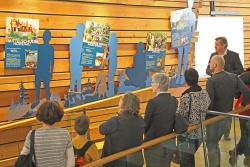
(130, 19)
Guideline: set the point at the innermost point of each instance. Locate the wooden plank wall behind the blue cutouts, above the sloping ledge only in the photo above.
(130, 19)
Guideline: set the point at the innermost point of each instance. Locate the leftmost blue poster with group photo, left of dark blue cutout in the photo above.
(21, 44)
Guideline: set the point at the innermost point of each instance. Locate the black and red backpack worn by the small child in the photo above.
(79, 154)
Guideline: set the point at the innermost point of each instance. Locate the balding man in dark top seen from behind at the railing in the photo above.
(221, 87)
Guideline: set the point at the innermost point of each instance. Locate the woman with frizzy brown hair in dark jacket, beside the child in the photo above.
(123, 132)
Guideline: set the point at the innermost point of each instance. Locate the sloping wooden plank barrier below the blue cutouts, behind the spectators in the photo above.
(13, 133)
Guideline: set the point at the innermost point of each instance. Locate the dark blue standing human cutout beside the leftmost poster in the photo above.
(45, 66)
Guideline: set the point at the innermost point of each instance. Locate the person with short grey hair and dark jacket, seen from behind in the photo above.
(159, 119)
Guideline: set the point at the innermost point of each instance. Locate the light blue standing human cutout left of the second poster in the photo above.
(75, 56)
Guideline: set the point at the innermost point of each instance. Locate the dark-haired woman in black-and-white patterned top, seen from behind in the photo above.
(193, 105)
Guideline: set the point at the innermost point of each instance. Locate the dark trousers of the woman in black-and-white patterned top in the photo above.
(187, 159)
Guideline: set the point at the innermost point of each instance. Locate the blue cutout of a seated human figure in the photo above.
(138, 74)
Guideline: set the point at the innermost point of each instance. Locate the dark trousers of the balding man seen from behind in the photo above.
(214, 133)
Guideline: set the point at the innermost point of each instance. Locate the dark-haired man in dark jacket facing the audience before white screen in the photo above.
(232, 65)
